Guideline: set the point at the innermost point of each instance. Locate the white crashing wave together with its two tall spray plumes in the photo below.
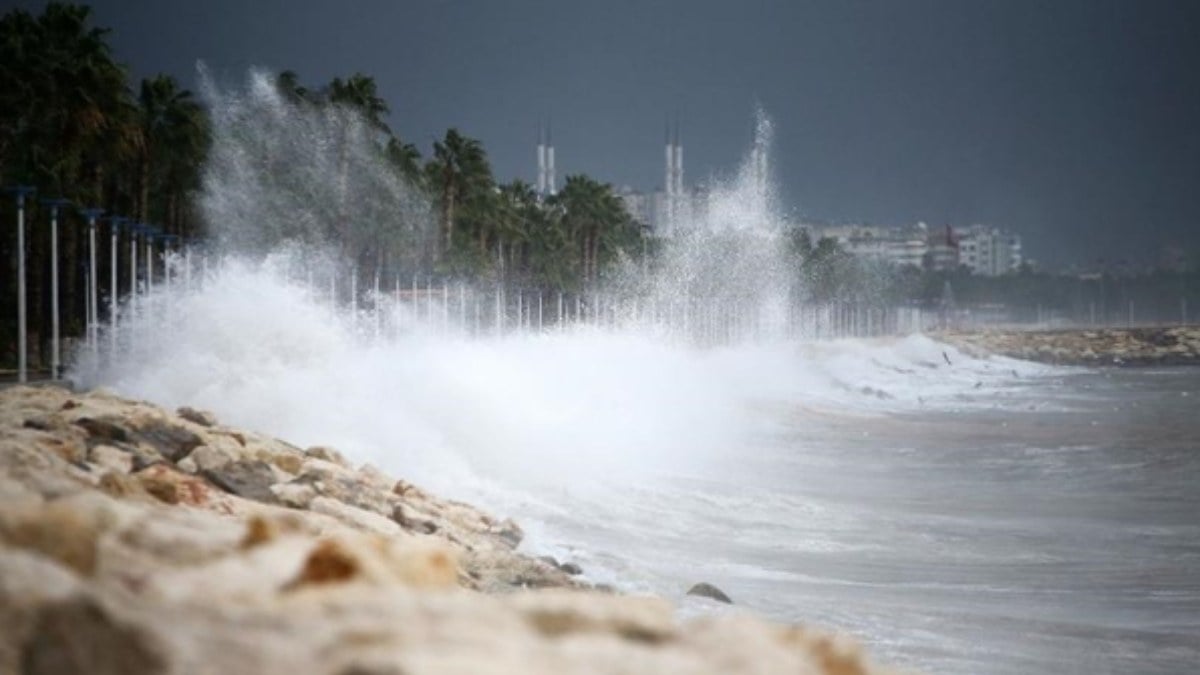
(274, 338)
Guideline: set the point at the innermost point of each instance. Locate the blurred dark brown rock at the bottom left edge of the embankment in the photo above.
(79, 636)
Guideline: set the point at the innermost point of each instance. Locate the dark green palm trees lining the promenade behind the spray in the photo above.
(75, 127)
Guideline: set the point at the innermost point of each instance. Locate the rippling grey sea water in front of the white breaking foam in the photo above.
(1045, 524)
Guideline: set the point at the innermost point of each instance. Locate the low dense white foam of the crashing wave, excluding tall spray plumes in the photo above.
(557, 409)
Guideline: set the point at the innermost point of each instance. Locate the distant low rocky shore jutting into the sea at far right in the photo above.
(1165, 347)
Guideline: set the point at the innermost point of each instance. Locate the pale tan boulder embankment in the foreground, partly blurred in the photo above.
(136, 541)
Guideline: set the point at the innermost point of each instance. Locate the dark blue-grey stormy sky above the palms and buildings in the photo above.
(1076, 123)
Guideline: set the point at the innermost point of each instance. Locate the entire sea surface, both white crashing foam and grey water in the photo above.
(957, 515)
